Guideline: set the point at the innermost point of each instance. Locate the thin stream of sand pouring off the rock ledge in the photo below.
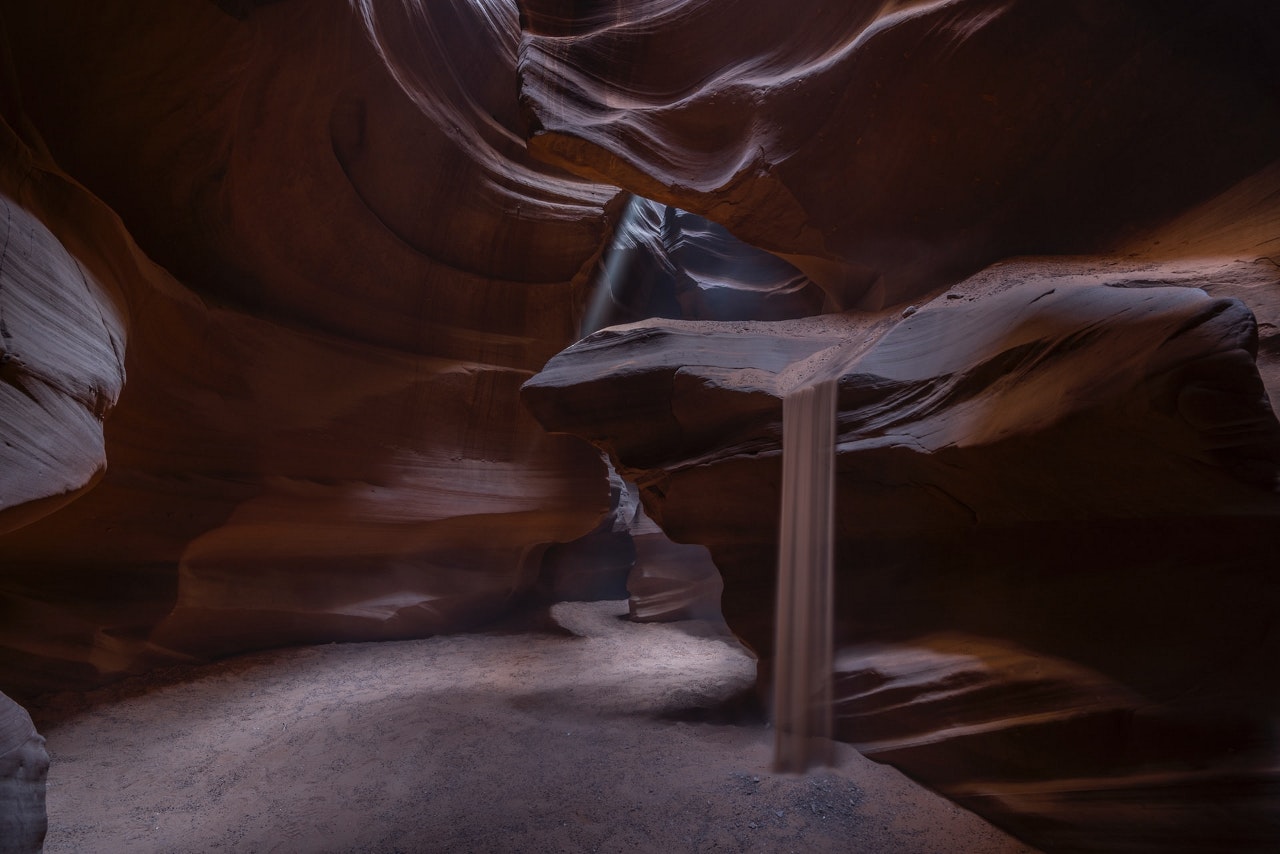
(803, 649)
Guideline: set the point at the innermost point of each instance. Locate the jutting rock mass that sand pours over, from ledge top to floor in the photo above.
(1064, 468)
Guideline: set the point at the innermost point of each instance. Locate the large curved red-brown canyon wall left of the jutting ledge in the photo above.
(321, 435)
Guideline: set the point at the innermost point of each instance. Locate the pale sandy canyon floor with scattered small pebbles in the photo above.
(580, 738)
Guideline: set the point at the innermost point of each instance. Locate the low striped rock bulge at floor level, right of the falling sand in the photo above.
(1025, 714)
